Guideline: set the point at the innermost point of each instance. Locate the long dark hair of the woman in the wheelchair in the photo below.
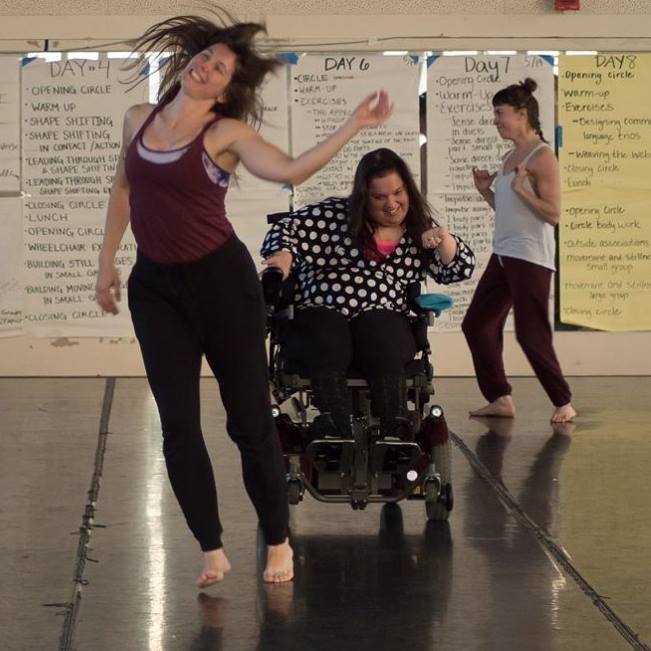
(378, 163)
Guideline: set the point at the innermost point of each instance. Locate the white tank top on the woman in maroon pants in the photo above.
(518, 232)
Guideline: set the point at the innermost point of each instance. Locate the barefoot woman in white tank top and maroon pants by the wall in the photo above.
(526, 200)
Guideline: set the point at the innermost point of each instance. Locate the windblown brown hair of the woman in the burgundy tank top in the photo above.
(183, 37)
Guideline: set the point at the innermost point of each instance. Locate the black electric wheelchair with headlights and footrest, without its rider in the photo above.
(367, 467)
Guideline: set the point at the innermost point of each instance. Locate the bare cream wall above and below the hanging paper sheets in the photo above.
(421, 24)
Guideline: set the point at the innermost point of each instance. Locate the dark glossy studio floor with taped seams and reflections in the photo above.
(490, 579)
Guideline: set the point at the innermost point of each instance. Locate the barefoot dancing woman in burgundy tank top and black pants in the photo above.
(194, 291)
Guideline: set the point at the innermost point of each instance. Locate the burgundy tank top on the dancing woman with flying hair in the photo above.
(176, 199)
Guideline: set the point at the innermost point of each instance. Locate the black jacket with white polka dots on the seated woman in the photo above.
(333, 273)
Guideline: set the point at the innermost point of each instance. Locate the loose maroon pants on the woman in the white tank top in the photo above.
(506, 283)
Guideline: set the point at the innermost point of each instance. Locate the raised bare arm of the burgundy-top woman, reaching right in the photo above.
(268, 162)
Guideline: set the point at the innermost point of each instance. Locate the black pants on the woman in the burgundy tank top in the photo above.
(210, 307)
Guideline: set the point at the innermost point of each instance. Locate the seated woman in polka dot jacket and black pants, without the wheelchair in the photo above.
(353, 261)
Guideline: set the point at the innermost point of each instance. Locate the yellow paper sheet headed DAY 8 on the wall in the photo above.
(604, 109)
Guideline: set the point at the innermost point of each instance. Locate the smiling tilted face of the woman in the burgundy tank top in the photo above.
(209, 73)
